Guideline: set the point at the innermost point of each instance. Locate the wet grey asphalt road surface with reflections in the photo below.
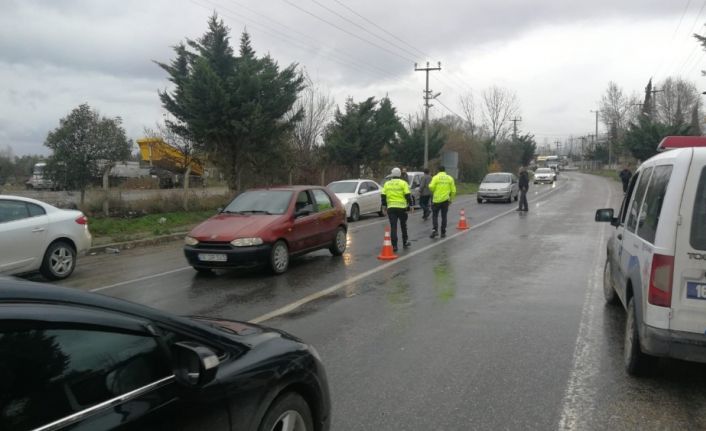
(499, 327)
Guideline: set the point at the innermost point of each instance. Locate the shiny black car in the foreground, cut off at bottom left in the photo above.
(80, 361)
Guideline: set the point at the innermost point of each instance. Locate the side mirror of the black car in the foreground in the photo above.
(194, 365)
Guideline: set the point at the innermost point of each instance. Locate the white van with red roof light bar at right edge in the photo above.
(656, 265)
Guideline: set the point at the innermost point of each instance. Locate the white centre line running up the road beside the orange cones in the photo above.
(338, 286)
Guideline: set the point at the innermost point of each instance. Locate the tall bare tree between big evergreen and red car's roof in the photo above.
(316, 105)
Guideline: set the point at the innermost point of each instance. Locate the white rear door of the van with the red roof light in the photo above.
(689, 282)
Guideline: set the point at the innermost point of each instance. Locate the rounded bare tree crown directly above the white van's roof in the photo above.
(676, 101)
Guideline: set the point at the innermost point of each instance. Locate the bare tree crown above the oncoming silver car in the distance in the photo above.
(498, 107)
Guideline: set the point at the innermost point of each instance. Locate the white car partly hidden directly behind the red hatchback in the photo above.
(359, 197)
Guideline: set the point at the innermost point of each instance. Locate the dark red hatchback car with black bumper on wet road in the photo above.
(268, 226)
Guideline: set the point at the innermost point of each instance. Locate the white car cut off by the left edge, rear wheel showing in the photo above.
(36, 236)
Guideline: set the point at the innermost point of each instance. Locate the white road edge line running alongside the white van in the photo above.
(580, 395)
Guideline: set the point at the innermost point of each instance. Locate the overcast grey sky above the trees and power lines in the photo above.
(557, 55)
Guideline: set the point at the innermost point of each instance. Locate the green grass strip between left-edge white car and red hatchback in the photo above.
(119, 229)
